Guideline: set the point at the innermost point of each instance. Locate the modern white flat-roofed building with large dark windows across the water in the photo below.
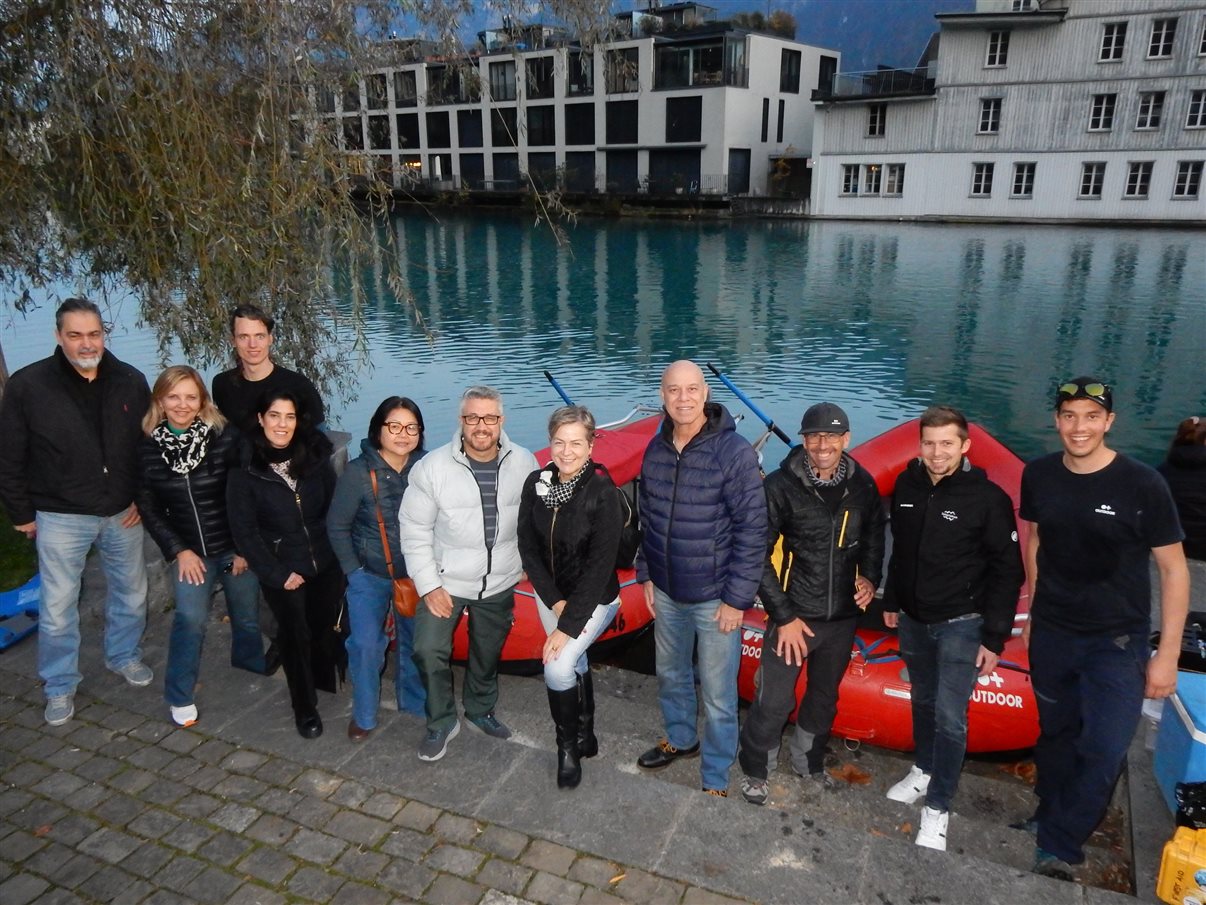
(676, 103)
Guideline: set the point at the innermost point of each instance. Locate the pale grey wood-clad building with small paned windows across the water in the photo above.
(1027, 110)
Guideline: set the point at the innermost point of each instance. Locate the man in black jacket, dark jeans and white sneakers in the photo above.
(952, 592)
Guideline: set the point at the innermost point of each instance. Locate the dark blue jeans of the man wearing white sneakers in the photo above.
(941, 659)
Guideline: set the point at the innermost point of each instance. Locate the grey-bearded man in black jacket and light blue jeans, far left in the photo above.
(72, 427)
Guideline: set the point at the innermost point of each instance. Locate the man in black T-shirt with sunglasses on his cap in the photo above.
(1097, 518)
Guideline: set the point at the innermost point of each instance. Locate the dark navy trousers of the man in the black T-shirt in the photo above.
(1090, 691)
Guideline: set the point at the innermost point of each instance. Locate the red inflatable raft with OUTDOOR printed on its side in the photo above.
(874, 704)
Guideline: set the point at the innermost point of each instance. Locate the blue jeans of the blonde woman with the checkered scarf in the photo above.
(189, 627)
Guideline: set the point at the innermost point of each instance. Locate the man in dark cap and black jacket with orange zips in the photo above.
(827, 516)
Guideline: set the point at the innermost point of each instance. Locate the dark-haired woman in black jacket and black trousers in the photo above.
(278, 504)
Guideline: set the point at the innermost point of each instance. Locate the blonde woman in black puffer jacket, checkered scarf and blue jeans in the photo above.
(184, 462)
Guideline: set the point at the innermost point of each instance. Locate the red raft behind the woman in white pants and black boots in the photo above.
(619, 448)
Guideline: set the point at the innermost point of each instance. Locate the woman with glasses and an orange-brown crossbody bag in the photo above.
(365, 510)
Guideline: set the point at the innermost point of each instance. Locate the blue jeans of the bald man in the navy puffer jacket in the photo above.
(677, 630)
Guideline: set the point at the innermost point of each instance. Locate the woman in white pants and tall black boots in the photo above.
(570, 534)
